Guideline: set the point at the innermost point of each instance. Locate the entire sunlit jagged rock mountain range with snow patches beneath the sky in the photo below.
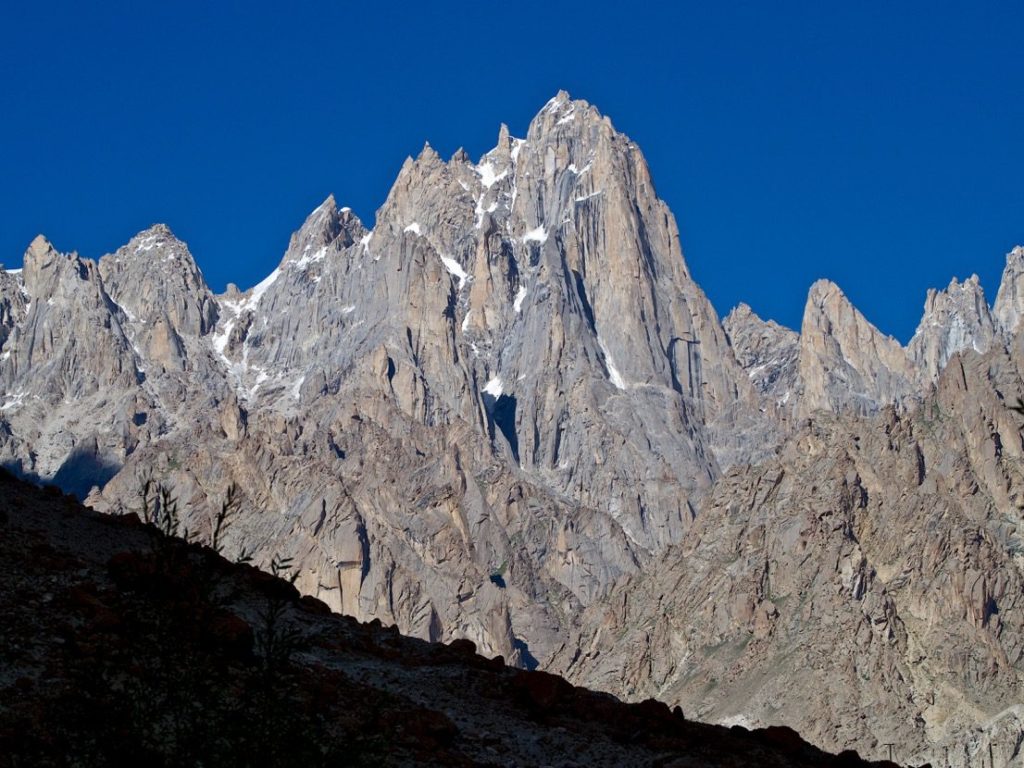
(508, 414)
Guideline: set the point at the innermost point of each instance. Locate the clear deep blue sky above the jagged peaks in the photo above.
(880, 148)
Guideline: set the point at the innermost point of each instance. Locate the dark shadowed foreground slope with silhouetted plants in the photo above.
(120, 645)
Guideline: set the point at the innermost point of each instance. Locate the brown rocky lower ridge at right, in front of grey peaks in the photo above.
(805, 567)
